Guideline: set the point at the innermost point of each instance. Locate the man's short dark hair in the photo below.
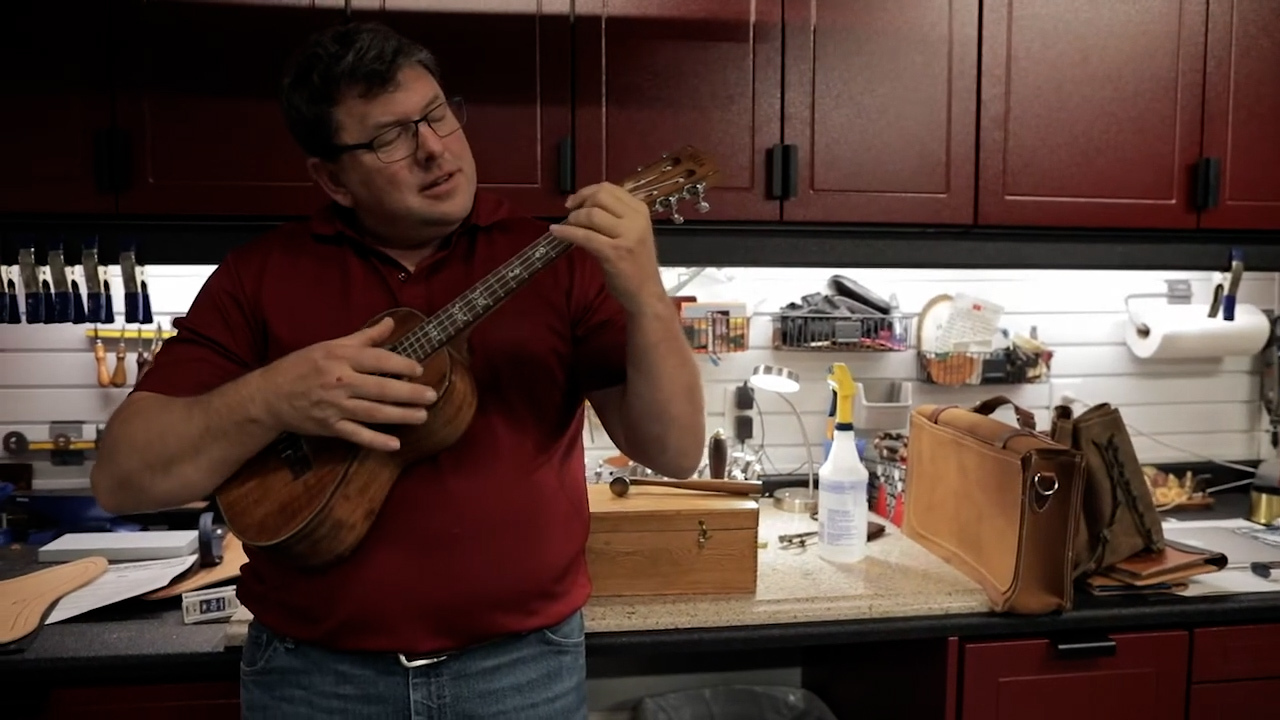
(364, 58)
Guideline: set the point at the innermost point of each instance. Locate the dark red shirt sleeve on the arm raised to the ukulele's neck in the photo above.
(600, 329)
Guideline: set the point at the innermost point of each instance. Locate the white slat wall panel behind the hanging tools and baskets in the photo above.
(1201, 408)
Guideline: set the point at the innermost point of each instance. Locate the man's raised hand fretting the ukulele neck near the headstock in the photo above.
(615, 227)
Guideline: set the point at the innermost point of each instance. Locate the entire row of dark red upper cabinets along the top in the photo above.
(1089, 115)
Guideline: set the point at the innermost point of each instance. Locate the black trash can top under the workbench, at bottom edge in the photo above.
(734, 703)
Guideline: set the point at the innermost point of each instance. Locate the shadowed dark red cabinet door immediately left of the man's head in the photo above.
(199, 101)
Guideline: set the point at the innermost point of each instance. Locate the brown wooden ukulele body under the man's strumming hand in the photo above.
(310, 500)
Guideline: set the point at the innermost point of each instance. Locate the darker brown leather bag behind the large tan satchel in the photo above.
(1121, 518)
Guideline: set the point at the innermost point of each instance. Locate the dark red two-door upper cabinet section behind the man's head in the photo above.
(200, 85)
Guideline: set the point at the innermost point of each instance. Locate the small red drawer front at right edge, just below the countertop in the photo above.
(1242, 653)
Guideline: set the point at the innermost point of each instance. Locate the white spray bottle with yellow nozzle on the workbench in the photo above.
(843, 481)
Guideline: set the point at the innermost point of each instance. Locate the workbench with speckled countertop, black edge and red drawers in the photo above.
(897, 648)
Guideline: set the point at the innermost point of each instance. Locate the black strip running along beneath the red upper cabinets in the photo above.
(207, 241)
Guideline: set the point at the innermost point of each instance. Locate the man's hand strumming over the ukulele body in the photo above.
(332, 389)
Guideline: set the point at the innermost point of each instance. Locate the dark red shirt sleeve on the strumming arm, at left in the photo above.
(218, 341)
